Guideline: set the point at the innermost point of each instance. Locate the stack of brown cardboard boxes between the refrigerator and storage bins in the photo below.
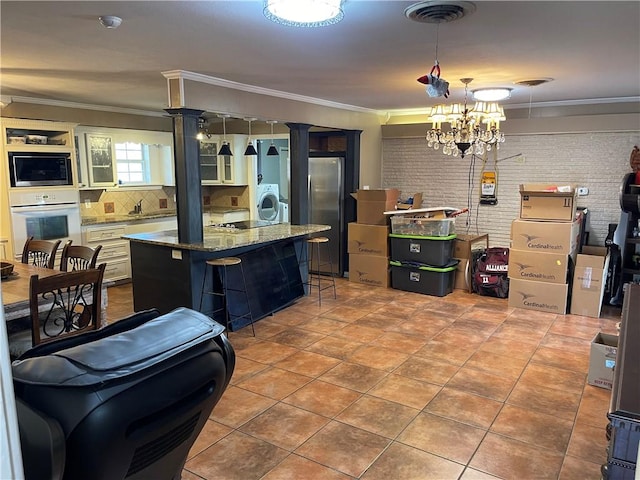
(368, 238)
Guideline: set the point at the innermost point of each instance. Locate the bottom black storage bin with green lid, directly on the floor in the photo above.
(437, 281)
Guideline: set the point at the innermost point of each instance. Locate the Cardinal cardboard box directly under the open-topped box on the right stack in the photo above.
(547, 237)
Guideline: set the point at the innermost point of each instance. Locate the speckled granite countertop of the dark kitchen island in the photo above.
(219, 239)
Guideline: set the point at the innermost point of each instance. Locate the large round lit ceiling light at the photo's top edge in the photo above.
(304, 13)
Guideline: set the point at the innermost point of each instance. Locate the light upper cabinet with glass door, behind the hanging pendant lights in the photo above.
(223, 169)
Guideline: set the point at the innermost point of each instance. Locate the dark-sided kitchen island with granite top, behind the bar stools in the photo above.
(167, 274)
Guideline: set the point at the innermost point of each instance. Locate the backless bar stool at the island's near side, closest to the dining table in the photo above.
(221, 266)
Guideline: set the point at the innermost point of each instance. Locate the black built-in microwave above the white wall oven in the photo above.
(39, 169)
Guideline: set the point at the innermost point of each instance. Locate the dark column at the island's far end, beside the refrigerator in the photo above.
(299, 189)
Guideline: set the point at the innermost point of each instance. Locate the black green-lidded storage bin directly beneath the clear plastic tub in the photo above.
(432, 251)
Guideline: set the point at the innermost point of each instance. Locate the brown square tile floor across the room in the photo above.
(391, 385)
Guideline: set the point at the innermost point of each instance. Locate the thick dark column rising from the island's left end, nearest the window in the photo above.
(187, 171)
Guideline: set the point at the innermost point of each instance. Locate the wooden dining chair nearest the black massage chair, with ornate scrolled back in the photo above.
(73, 305)
